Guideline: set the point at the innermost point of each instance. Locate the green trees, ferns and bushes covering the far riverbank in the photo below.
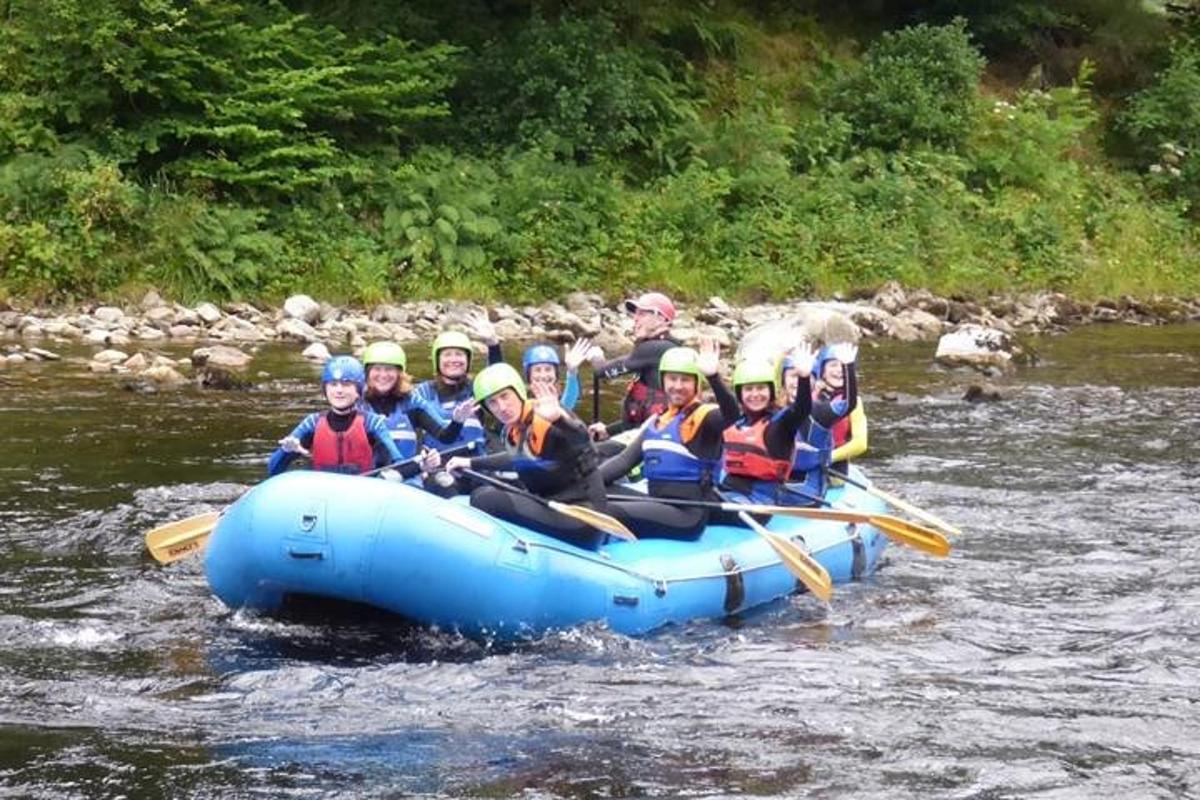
(519, 151)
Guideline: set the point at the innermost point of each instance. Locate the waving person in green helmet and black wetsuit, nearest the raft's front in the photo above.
(549, 449)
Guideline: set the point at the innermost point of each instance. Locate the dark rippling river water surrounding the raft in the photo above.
(1053, 655)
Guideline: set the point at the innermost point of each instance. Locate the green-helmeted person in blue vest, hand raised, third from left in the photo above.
(452, 387)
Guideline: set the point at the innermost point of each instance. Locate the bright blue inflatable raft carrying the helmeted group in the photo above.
(442, 563)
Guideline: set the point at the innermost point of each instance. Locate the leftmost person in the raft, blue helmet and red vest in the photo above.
(343, 440)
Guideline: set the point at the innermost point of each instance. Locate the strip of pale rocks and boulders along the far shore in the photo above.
(127, 338)
